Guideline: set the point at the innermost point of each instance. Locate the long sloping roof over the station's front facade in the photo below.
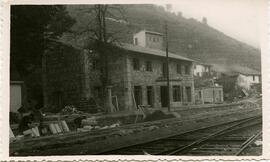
(150, 51)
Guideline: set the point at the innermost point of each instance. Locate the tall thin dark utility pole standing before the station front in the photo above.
(167, 65)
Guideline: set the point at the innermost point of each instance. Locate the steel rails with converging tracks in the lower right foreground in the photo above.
(221, 139)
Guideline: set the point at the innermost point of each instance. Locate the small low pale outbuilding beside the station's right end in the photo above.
(209, 95)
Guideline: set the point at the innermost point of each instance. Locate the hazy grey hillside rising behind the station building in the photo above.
(187, 37)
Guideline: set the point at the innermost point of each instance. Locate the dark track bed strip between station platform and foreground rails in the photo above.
(90, 141)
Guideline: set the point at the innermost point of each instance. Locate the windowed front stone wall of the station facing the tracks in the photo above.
(154, 78)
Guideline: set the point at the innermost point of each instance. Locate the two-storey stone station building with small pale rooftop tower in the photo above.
(137, 73)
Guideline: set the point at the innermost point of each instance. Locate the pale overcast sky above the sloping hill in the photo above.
(239, 19)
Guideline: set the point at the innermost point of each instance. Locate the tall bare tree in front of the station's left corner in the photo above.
(101, 37)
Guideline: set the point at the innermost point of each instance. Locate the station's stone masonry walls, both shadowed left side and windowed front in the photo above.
(72, 78)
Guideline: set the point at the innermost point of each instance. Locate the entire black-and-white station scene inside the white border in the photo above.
(177, 78)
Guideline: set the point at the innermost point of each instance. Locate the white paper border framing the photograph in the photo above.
(4, 89)
